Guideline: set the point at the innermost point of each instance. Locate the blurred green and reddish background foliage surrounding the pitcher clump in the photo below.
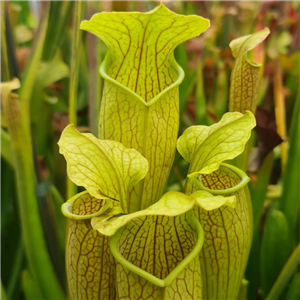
(57, 64)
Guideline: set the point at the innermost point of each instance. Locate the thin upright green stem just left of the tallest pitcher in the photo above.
(71, 187)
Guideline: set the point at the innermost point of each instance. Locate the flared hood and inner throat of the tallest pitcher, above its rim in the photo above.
(140, 46)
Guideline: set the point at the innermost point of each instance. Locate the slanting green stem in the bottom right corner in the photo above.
(285, 275)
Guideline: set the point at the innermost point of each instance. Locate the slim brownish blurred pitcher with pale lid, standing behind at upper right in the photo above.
(244, 84)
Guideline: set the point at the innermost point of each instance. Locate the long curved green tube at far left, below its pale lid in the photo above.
(35, 246)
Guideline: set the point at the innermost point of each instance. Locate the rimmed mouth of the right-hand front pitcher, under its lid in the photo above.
(226, 180)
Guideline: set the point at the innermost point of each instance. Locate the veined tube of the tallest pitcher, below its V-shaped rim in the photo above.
(122, 118)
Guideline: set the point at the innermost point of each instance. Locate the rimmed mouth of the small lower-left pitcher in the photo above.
(84, 207)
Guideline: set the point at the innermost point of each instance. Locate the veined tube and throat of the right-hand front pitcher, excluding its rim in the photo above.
(227, 233)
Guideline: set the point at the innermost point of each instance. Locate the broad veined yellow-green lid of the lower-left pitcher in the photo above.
(105, 168)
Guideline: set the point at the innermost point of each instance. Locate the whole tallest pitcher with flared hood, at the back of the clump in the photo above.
(142, 77)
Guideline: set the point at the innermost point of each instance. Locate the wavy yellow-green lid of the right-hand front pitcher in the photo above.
(207, 147)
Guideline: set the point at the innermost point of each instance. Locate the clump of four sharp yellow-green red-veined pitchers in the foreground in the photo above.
(125, 238)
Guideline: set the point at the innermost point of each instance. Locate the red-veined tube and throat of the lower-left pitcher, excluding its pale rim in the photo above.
(90, 265)
